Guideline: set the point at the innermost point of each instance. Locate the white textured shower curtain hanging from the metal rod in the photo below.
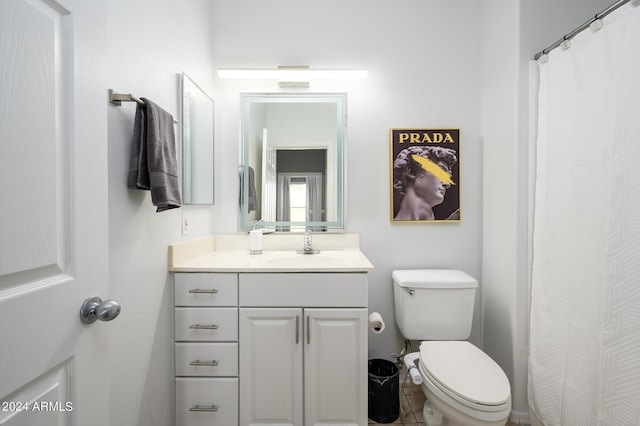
(584, 364)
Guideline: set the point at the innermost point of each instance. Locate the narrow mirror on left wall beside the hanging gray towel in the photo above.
(197, 143)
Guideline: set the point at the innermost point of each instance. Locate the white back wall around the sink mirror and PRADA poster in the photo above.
(424, 71)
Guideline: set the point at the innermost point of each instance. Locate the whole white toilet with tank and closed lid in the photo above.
(460, 381)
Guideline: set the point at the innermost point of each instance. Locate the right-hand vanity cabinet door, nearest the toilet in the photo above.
(336, 367)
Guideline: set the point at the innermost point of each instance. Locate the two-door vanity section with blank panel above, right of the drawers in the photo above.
(303, 348)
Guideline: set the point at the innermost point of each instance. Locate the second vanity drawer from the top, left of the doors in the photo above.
(206, 324)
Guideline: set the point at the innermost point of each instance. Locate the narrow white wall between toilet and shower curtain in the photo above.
(512, 33)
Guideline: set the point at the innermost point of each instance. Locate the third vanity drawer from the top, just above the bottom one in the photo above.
(206, 359)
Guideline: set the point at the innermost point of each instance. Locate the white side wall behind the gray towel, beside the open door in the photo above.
(149, 43)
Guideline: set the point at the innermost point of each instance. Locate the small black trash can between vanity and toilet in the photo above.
(384, 393)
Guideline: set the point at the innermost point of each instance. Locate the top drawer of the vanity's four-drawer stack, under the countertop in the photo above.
(203, 289)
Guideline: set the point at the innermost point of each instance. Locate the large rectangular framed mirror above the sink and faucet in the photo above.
(292, 161)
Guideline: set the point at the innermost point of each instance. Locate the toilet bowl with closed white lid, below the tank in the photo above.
(464, 384)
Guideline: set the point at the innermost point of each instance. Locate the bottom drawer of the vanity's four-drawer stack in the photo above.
(206, 401)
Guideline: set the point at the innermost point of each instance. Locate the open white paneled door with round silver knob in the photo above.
(53, 212)
